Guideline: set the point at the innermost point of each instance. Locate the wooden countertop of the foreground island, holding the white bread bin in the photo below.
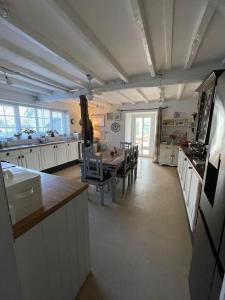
(56, 191)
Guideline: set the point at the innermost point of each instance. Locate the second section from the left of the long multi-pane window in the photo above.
(27, 117)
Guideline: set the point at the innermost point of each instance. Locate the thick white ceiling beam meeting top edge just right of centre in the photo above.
(140, 19)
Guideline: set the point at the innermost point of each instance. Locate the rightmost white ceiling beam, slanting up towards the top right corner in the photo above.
(206, 15)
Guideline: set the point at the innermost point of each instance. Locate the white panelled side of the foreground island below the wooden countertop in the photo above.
(53, 257)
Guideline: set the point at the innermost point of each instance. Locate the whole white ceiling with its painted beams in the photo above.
(58, 42)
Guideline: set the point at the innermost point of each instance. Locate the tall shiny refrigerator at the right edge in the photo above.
(208, 258)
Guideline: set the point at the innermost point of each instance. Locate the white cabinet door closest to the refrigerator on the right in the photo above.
(194, 196)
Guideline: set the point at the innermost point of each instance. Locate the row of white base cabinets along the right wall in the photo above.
(191, 187)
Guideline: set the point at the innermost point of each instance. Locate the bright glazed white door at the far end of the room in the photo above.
(143, 133)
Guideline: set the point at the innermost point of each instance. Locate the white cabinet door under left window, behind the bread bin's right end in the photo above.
(31, 158)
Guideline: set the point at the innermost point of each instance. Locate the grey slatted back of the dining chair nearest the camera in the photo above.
(92, 165)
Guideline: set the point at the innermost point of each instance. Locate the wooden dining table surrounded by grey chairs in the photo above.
(111, 163)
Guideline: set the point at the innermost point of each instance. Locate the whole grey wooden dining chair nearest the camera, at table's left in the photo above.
(93, 171)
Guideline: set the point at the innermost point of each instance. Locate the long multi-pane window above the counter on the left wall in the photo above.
(15, 118)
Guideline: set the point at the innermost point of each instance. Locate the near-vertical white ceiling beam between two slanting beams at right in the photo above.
(168, 13)
